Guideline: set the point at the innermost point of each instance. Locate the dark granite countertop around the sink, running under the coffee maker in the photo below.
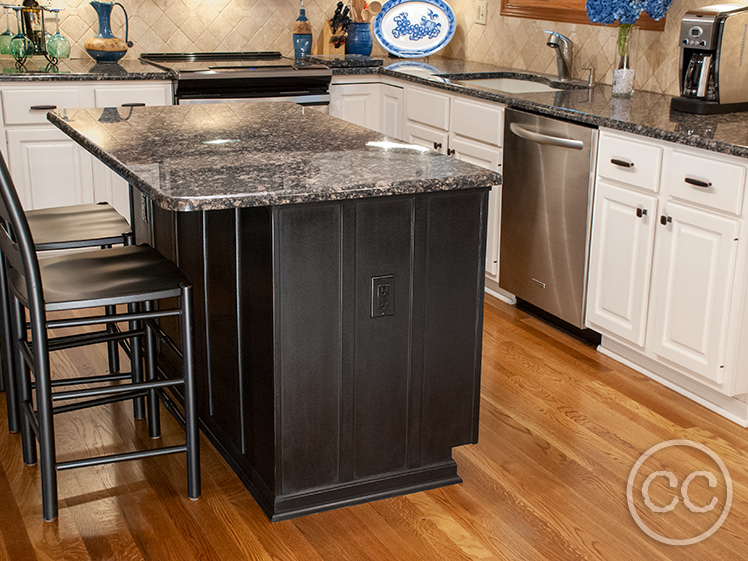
(646, 114)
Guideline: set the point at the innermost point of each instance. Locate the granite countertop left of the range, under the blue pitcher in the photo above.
(79, 69)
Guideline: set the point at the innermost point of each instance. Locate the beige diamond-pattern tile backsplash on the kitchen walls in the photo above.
(210, 25)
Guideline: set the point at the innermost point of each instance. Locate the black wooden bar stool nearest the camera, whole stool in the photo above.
(80, 281)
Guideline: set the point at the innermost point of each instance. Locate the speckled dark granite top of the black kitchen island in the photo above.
(202, 157)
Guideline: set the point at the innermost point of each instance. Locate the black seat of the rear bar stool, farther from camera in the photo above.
(76, 226)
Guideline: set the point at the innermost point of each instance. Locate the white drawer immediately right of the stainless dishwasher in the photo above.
(628, 161)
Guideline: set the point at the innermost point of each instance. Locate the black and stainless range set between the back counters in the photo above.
(244, 76)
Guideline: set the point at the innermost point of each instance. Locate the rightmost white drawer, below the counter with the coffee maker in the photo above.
(706, 181)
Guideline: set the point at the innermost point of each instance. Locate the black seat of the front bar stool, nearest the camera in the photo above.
(103, 277)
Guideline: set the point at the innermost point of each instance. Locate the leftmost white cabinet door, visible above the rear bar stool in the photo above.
(48, 168)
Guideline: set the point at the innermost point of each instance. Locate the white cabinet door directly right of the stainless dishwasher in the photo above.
(621, 248)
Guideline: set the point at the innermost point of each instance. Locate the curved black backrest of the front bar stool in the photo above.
(17, 245)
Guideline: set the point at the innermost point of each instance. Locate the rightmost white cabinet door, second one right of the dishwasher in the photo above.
(694, 268)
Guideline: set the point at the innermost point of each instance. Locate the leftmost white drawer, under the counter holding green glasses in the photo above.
(27, 107)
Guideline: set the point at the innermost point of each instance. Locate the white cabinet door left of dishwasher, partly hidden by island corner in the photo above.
(488, 157)
